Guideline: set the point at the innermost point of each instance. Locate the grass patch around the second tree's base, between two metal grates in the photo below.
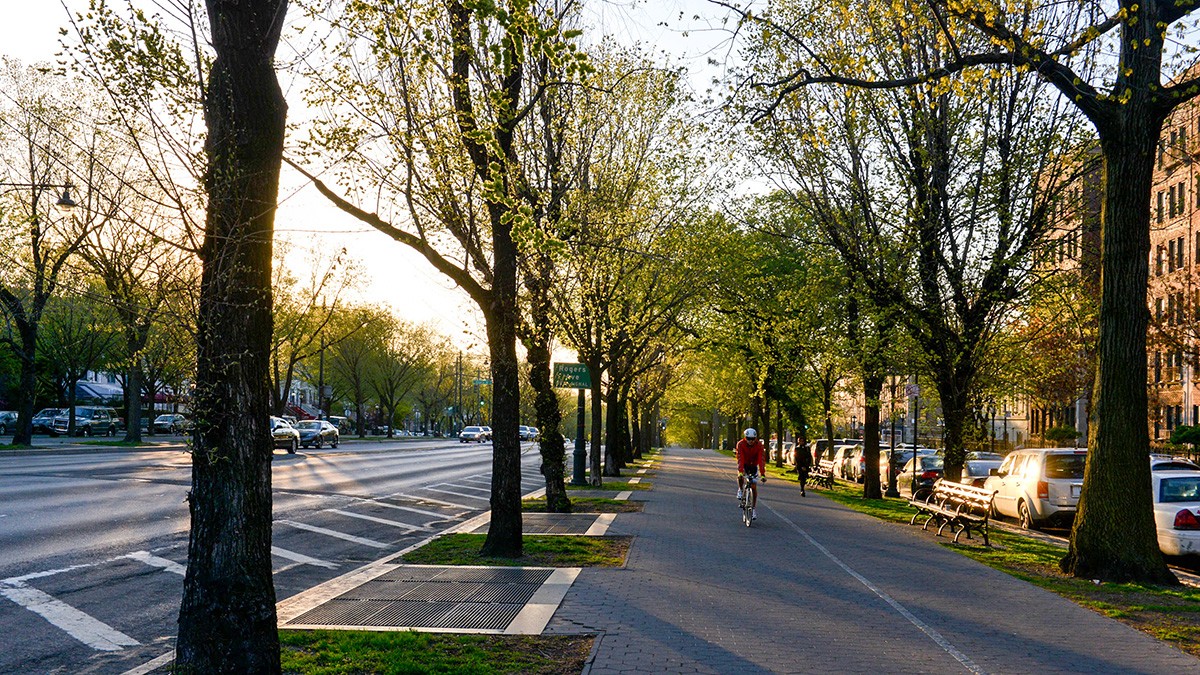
(539, 552)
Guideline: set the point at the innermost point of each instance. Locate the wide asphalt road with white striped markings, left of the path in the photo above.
(94, 546)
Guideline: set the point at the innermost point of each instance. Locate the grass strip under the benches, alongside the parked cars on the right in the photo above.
(1171, 614)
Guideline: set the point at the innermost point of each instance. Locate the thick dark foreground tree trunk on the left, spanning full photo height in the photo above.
(227, 618)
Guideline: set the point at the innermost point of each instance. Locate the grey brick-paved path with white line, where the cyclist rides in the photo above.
(833, 592)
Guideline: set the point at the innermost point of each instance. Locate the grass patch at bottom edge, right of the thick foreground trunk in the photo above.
(361, 653)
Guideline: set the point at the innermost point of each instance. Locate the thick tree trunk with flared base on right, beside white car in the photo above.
(1114, 534)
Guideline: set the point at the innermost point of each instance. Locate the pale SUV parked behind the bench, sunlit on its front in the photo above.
(1040, 486)
